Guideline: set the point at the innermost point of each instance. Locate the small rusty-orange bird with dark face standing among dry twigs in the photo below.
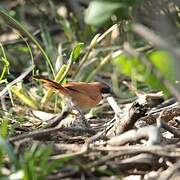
(81, 95)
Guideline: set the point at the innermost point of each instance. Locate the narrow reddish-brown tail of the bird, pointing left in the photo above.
(51, 84)
